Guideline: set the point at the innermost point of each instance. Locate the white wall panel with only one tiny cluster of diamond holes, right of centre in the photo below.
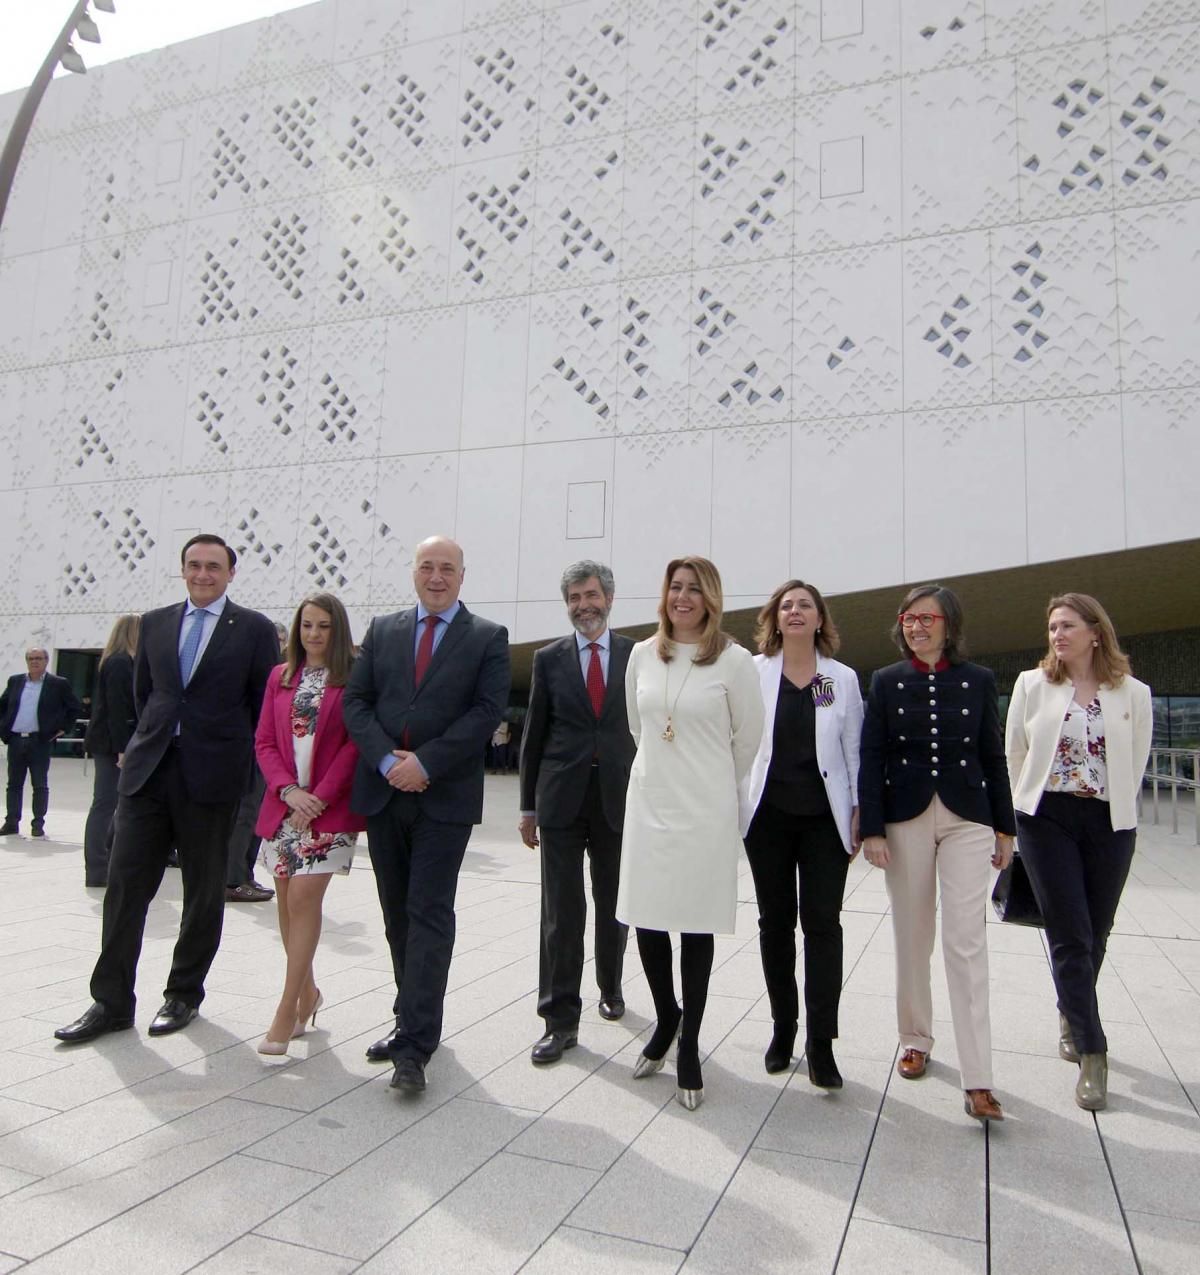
(849, 332)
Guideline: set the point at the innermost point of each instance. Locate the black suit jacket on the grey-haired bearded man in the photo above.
(564, 736)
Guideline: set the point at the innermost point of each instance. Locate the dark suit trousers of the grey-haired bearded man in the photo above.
(566, 911)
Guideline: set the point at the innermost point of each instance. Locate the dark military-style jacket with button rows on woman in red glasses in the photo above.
(928, 734)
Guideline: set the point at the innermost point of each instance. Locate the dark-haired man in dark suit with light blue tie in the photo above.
(200, 678)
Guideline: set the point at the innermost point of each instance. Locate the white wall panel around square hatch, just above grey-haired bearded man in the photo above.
(545, 545)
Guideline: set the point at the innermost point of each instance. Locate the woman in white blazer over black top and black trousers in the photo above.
(799, 815)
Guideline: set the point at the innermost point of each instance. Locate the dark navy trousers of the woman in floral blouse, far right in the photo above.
(1078, 866)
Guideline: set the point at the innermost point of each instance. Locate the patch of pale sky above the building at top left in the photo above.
(138, 26)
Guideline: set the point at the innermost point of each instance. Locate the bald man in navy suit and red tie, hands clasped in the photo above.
(423, 701)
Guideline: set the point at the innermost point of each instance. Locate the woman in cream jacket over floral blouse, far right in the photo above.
(1077, 743)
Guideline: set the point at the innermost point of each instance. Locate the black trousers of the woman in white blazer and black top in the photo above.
(800, 868)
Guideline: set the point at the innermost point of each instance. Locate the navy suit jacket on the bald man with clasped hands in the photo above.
(448, 720)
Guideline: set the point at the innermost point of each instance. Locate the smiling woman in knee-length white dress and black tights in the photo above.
(697, 716)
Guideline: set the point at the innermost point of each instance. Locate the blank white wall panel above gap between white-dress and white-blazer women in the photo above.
(752, 507)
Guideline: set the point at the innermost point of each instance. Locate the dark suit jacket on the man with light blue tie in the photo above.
(216, 713)
